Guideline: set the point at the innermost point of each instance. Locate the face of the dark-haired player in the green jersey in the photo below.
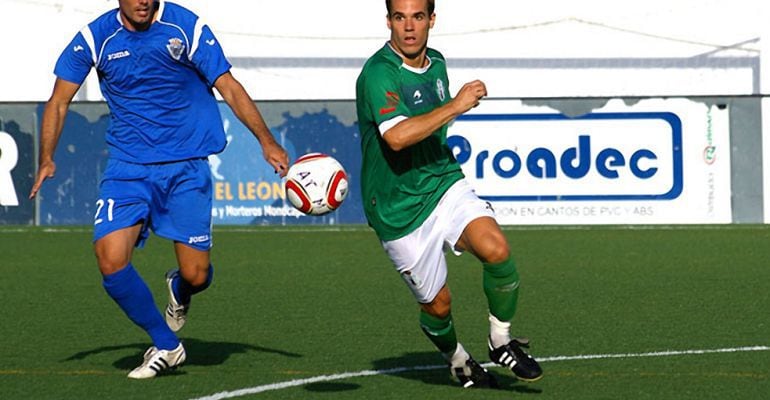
(409, 24)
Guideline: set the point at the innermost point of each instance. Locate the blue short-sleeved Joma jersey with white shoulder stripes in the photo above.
(157, 84)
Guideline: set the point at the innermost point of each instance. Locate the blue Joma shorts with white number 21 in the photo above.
(172, 199)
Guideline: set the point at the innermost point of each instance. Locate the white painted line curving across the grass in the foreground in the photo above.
(346, 375)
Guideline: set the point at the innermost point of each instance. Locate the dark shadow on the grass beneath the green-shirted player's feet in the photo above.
(429, 368)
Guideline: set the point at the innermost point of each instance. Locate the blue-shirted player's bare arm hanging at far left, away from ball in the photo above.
(50, 130)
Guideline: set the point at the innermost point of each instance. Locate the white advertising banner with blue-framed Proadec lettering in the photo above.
(654, 162)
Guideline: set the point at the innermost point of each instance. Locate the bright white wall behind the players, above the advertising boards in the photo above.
(521, 49)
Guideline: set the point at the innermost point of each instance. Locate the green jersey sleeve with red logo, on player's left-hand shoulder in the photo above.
(382, 93)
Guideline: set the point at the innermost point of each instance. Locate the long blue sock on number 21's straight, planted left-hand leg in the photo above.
(133, 296)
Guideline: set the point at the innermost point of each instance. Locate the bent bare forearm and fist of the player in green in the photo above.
(414, 129)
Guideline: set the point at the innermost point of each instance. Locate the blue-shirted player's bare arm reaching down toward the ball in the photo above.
(244, 108)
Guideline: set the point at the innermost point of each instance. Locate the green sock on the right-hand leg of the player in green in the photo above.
(501, 285)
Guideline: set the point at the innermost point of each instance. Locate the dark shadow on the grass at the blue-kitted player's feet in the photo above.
(199, 352)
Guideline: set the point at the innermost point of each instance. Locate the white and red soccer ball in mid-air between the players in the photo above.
(316, 184)
